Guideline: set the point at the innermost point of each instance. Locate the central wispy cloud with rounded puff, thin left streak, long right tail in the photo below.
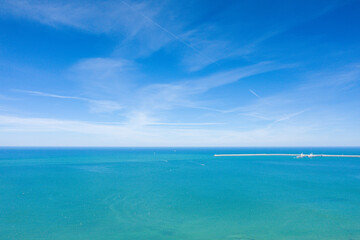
(113, 79)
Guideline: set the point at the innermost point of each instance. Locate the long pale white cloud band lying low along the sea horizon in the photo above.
(71, 133)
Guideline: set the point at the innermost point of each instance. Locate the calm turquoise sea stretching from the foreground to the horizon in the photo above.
(177, 193)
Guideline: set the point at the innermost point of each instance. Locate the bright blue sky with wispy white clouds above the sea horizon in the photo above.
(179, 73)
